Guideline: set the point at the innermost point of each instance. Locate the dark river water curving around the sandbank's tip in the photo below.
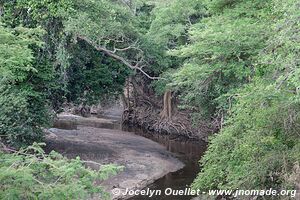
(188, 151)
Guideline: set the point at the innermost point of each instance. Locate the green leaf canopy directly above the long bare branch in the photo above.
(101, 21)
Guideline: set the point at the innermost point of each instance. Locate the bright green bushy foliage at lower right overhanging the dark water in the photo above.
(256, 148)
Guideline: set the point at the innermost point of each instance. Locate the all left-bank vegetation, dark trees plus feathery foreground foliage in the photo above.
(36, 72)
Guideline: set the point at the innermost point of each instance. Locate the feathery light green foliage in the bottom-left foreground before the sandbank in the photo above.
(31, 174)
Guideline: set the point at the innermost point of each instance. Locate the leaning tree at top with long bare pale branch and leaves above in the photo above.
(110, 28)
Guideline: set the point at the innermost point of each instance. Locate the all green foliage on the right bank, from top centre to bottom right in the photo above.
(239, 63)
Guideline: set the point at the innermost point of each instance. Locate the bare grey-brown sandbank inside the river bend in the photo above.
(144, 160)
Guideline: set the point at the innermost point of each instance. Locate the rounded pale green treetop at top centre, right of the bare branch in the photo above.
(171, 21)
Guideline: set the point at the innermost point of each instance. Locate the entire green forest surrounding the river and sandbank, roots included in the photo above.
(226, 68)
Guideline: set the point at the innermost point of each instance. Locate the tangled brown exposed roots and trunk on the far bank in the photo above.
(148, 112)
